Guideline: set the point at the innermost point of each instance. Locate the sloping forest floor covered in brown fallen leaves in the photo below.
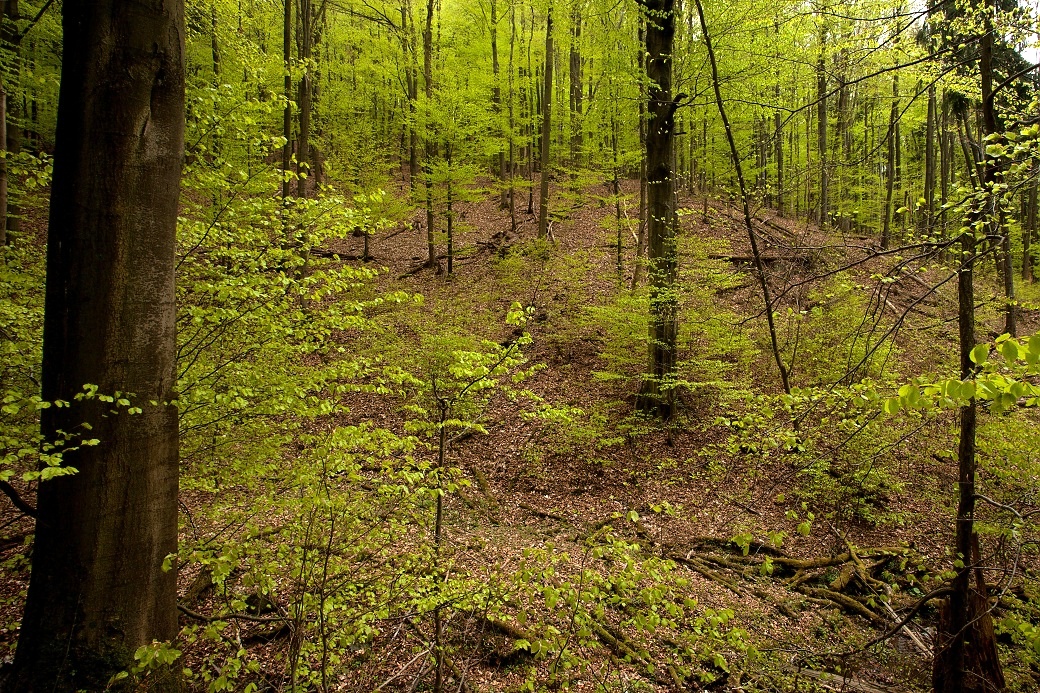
(798, 540)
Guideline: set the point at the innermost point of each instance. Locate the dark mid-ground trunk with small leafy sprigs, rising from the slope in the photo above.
(658, 394)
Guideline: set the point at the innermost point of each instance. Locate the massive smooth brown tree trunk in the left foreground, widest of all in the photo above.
(98, 591)
